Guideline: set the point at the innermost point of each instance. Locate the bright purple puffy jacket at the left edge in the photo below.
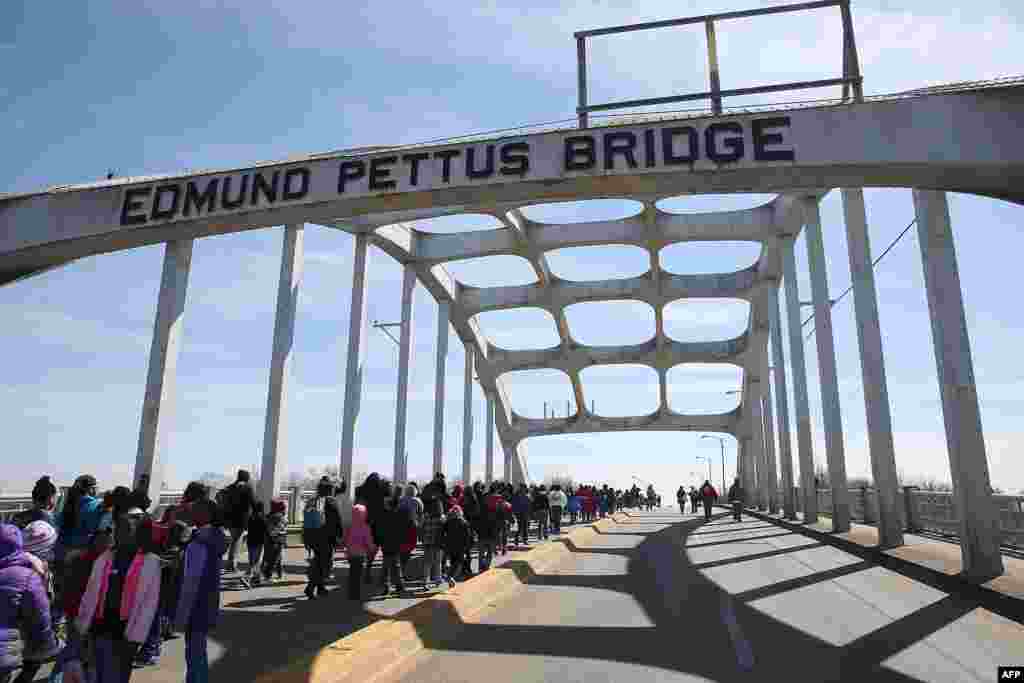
(24, 606)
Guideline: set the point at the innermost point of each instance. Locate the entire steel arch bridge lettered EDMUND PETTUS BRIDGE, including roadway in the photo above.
(809, 585)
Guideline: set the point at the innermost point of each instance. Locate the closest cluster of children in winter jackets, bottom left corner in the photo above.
(96, 588)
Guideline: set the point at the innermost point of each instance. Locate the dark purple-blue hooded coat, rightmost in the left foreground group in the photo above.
(199, 604)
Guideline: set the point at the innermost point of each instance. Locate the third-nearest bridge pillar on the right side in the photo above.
(831, 413)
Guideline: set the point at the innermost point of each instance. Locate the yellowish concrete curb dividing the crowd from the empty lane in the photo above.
(378, 649)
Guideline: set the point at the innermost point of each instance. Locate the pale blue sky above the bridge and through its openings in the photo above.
(153, 88)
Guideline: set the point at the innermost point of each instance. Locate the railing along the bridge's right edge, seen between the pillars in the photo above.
(928, 511)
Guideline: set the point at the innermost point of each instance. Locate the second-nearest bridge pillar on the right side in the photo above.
(880, 430)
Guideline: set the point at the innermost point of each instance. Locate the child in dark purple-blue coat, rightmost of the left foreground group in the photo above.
(199, 602)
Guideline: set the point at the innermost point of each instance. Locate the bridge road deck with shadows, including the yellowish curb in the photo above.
(649, 596)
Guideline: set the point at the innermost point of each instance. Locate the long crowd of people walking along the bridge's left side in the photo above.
(99, 586)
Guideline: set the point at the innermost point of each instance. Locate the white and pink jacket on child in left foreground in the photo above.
(140, 601)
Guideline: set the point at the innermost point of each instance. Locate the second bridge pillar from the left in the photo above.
(281, 362)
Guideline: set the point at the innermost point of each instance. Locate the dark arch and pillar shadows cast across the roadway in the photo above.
(686, 608)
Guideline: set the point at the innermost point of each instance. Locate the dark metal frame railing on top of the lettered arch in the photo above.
(851, 66)
